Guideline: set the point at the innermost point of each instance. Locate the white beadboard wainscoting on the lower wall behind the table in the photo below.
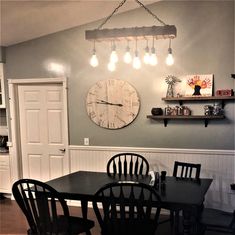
(216, 164)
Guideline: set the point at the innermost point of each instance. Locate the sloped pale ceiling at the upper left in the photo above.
(22, 20)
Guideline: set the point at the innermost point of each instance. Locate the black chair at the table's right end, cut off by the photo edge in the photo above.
(217, 221)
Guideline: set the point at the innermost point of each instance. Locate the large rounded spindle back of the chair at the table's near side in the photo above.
(127, 208)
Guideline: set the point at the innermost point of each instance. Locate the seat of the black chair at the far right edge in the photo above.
(213, 217)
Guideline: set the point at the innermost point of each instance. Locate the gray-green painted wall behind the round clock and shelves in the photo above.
(204, 45)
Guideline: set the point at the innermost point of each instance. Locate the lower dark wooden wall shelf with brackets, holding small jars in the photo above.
(191, 117)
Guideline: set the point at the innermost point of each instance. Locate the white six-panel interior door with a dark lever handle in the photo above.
(42, 131)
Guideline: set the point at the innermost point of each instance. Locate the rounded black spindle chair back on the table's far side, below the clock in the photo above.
(127, 163)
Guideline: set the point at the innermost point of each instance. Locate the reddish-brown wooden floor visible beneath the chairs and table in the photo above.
(12, 221)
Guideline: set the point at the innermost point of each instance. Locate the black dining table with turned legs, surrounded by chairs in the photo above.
(187, 195)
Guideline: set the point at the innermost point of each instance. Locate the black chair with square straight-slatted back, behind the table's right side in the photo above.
(183, 171)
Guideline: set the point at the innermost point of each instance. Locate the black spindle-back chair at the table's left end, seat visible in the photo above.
(46, 211)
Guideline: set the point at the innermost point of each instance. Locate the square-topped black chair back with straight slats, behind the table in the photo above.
(186, 170)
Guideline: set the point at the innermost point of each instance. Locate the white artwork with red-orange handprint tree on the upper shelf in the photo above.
(199, 85)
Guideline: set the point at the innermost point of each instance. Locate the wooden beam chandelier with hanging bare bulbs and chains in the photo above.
(164, 31)
